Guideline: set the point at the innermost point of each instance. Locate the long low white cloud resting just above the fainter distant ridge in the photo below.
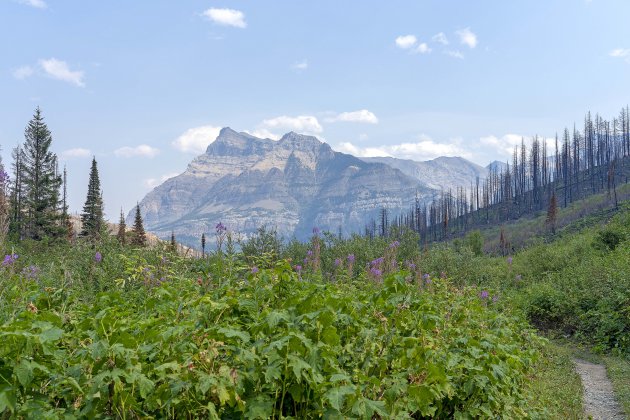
(424, 149)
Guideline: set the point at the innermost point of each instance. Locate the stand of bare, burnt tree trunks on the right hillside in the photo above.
(581, 163)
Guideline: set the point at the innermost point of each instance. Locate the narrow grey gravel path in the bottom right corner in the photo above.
(599, 398)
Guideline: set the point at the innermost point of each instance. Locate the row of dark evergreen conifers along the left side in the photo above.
(33, 198)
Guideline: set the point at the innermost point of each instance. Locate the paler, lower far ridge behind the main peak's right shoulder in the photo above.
(440, 173)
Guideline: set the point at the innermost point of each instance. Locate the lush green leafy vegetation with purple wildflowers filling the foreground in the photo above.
(335, 327)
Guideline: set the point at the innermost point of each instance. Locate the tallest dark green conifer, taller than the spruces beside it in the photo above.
(40, 181)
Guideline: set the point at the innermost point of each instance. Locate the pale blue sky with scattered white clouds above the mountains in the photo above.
(144, 86)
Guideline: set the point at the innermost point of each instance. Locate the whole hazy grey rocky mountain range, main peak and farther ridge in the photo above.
(293, 185)
